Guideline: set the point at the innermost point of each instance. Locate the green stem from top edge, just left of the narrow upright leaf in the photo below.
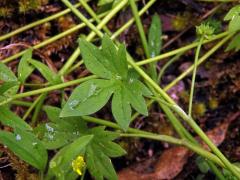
(140, 27)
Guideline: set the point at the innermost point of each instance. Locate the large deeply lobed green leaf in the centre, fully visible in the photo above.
(109, 62)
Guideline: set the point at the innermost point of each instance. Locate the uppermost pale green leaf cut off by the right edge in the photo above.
(234, 17)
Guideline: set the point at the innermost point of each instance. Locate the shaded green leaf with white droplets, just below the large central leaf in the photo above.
(60, 131)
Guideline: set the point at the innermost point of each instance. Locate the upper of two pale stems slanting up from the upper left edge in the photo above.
(36, 23)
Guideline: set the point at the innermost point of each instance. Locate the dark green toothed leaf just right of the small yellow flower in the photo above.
(98, 152)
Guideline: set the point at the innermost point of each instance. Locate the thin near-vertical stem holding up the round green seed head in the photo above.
(194, 75)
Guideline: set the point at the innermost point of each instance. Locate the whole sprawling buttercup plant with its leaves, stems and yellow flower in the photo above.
(79, 146)
